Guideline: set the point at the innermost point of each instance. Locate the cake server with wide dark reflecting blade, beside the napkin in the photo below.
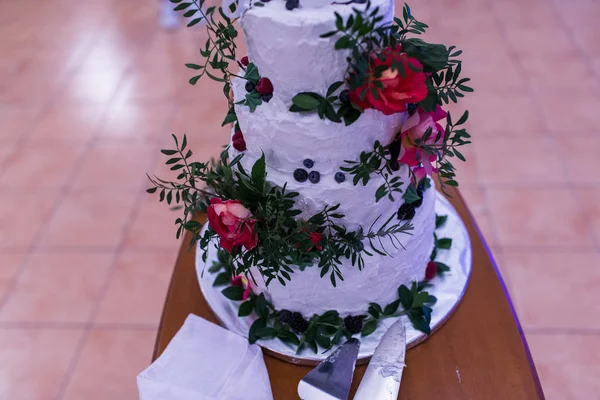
(331, 379)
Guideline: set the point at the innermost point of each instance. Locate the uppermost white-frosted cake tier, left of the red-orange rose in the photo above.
(286, 45)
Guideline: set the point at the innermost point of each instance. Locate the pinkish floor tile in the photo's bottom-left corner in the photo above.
(36, 361)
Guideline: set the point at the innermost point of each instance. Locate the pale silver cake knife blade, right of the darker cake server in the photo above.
(384, 373)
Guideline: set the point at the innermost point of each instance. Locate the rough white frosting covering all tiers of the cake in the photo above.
(286, 47)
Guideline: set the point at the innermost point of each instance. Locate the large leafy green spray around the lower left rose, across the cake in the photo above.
(284, 240)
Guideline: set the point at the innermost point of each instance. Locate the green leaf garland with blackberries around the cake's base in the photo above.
(327, 329)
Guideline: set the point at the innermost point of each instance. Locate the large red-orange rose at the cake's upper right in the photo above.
(397, 90)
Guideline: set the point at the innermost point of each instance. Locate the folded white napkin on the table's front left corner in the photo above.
(206, 362)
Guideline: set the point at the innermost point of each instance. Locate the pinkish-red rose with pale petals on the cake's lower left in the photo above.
(232, 222)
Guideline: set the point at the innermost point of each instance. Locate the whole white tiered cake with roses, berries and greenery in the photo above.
(336, 117)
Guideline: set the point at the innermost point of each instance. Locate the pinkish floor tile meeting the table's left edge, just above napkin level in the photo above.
(137, 288)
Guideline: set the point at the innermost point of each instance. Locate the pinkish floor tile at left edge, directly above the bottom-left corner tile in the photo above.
(61, 287)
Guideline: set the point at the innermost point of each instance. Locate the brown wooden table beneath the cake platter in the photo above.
(480, 353)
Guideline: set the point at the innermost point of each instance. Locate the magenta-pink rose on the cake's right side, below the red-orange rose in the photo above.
(413, 149)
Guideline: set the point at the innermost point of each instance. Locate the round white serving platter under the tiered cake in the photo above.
(448, 289)
